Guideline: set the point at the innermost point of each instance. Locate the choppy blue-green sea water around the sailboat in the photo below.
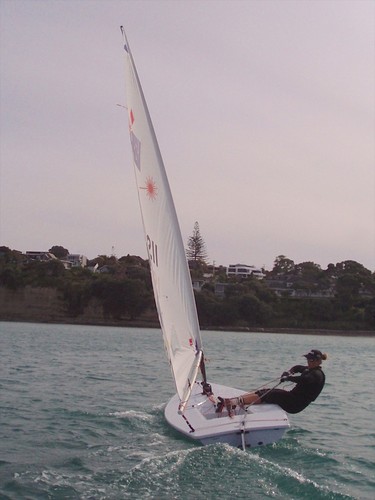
(81, 417)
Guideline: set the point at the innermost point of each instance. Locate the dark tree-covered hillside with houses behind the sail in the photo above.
(119, 292)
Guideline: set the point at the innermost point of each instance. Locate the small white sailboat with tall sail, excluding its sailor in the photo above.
(193, 410)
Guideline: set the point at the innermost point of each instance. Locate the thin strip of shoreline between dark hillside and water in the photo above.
(152, 324)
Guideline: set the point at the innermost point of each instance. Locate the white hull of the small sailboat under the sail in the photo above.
(258, 425)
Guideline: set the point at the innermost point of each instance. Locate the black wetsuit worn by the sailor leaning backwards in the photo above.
(308, 387)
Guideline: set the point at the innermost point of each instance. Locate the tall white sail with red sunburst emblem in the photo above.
(169, 270)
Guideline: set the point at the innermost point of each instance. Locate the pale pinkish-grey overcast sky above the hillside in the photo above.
(264, 112)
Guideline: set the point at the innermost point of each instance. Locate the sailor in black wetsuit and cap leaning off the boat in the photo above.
(309, 385)
